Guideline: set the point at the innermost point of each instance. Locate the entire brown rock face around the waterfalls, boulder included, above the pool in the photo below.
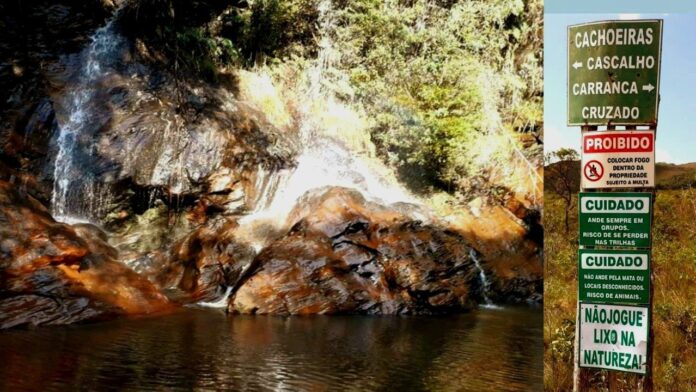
(173, 164)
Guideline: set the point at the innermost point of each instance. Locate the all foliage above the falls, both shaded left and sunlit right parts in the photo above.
(453, 88)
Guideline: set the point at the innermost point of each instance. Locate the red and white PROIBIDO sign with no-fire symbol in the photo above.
(618, 159)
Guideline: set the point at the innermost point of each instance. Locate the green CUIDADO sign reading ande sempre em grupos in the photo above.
(615, 219)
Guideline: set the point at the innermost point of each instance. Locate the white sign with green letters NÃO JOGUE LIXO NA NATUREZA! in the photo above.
(614, 337)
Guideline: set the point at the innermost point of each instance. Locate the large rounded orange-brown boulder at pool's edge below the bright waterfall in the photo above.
(346, 255)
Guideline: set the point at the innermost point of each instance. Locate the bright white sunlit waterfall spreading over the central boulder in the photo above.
(327, 126)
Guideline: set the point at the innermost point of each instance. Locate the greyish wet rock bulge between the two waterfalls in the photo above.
(187, 154)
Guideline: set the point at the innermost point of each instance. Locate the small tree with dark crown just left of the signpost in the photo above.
(561, 177)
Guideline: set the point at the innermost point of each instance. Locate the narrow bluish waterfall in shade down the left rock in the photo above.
(77, 195)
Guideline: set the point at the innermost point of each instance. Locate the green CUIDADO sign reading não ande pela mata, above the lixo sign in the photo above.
(614, 276)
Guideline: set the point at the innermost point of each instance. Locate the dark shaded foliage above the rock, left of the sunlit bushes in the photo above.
(205, 38)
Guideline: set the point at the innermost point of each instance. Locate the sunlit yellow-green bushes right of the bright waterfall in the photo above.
(446, 82)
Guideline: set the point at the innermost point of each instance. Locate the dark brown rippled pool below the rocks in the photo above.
(203, 349)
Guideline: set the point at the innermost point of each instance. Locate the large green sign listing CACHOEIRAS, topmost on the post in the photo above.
(614, 72)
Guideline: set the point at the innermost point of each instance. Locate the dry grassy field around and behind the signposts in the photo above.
(674, 266)
